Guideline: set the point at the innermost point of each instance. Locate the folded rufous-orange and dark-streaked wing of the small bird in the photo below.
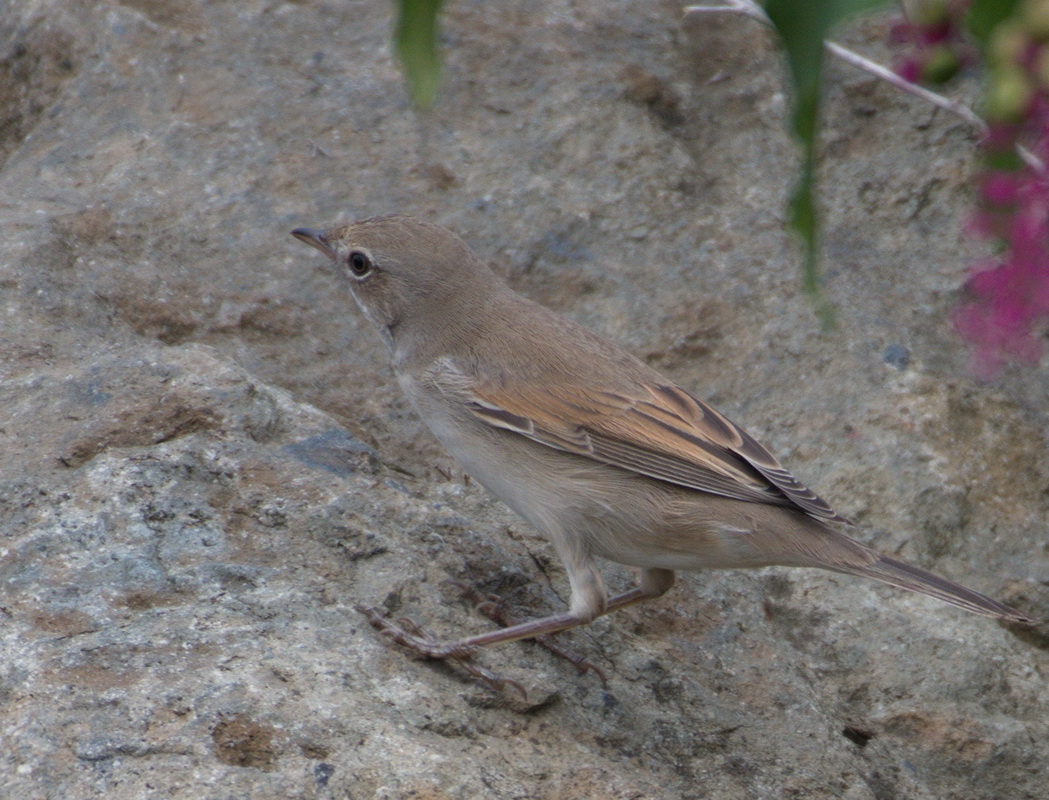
(658, 430)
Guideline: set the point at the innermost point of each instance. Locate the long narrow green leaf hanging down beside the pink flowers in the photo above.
(803, 27)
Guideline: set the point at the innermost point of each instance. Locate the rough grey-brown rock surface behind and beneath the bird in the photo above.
(206, 464)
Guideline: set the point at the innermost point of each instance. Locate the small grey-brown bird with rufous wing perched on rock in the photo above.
(604, 456)
